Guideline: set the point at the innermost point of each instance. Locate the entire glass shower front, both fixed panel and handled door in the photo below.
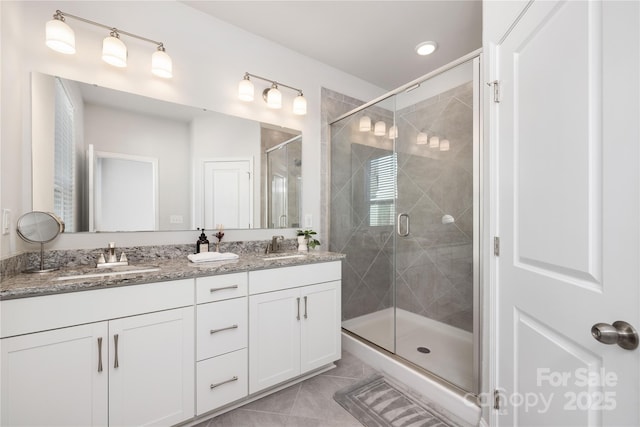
(404, 197)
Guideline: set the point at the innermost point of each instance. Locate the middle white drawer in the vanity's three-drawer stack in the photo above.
(221, 327)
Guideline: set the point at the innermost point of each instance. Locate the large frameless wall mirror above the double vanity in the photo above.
(105, 160)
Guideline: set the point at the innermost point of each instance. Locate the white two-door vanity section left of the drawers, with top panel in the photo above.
(91, 358)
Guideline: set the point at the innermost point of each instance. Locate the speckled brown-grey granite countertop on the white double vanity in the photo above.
(30, 285)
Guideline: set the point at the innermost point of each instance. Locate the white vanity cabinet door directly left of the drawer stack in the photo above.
(152, 368)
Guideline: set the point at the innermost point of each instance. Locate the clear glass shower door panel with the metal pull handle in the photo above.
(434, 276)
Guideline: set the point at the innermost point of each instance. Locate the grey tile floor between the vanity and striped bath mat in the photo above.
(307, 404)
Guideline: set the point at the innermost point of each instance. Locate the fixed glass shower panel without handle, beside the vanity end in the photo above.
(362, 221)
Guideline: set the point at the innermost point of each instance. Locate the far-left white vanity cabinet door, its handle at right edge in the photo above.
(54, 378)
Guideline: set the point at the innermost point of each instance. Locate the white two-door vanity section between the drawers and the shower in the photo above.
(294, 322)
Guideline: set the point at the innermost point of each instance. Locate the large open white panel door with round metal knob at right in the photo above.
(568, 213)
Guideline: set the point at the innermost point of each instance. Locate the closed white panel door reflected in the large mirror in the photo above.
(227, 194)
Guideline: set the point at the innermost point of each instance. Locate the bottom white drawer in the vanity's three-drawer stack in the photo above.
(221, 380)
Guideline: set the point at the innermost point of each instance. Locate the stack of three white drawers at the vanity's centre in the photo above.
(221, 341)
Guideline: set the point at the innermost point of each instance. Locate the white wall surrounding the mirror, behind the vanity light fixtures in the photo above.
(209, 58)
